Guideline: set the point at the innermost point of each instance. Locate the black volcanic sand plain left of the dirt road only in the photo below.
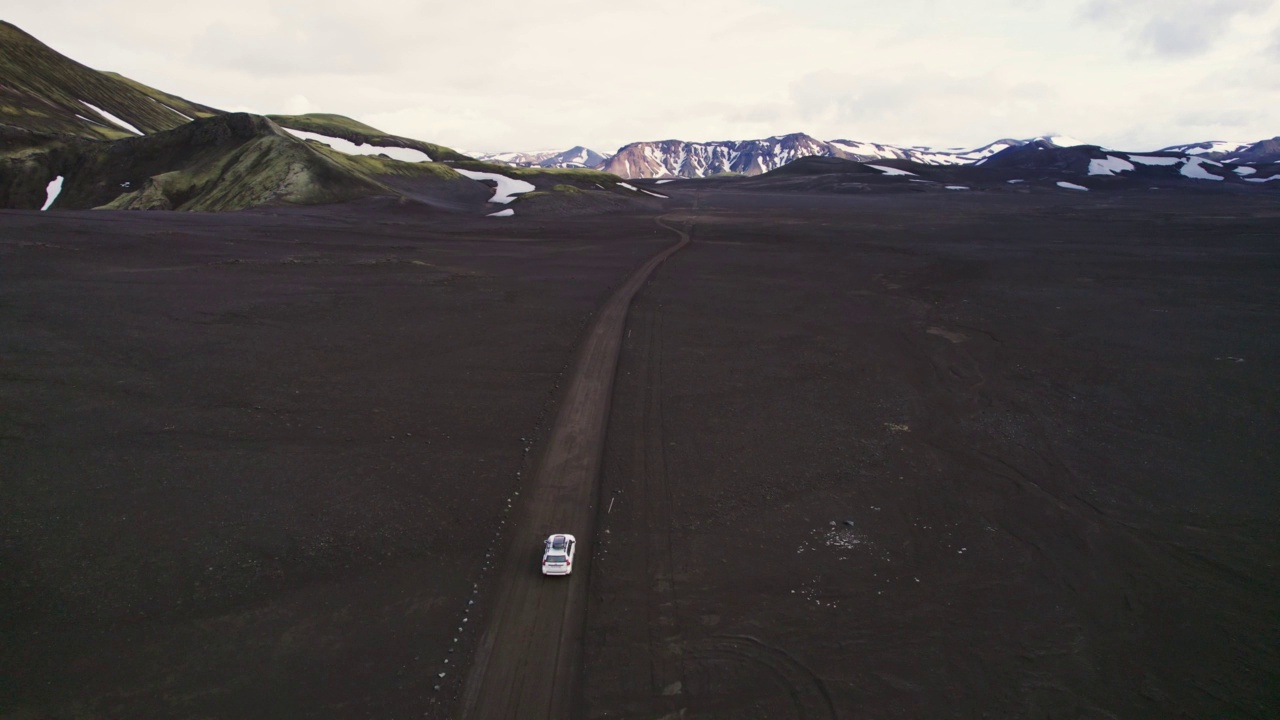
(253, 463)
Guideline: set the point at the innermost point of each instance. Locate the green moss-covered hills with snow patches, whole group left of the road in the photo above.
(191, 157)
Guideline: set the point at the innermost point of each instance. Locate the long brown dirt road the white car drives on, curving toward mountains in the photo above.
(528, 663)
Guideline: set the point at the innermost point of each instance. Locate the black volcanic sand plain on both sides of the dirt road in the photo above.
(973, 455)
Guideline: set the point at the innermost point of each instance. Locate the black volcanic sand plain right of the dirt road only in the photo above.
(954, 457)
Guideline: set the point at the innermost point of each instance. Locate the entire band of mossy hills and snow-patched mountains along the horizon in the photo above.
(74, 138)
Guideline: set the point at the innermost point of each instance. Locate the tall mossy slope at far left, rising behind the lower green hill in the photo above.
(43, 92)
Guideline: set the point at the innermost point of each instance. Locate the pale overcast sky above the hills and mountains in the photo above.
(531, 75)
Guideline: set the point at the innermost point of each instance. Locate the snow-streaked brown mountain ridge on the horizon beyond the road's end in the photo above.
(676, 158)
